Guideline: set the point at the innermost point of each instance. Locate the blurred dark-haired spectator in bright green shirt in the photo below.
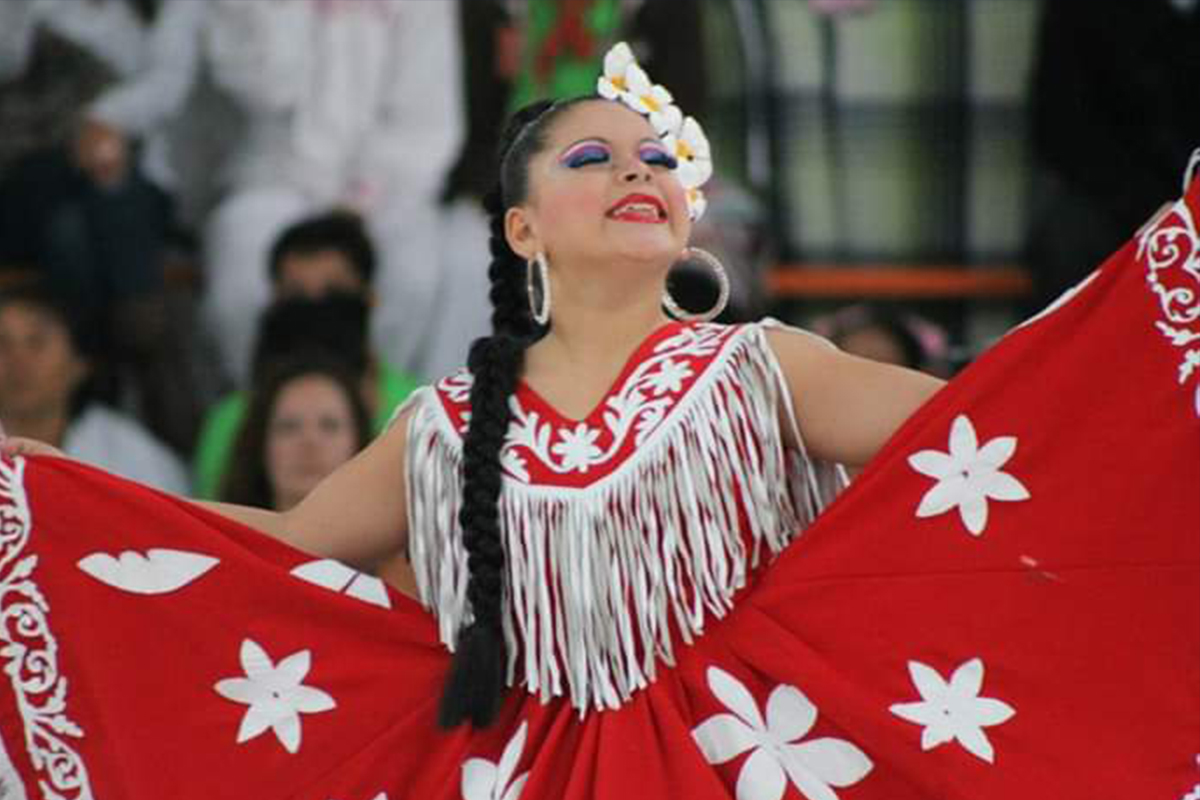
(316, 258)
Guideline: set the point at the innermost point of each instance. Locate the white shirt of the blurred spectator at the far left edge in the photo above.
(109, 440)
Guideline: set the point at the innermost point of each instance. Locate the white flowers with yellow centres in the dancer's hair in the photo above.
(625, 81)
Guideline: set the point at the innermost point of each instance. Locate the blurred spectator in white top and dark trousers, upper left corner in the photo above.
(92, 206)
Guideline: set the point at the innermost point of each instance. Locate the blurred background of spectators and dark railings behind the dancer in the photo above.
(243, 231)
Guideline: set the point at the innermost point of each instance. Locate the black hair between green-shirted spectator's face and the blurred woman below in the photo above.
(335, 324)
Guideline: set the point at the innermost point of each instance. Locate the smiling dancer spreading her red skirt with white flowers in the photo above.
(599, 516)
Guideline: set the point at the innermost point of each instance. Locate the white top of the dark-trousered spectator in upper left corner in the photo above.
(157, 64)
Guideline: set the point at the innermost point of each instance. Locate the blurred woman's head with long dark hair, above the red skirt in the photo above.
(303, 420)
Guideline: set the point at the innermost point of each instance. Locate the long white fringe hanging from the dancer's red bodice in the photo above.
(599, 579)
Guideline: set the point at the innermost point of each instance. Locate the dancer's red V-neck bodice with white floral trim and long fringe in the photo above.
(629, 530)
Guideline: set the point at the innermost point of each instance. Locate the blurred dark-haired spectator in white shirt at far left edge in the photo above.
(45, 394)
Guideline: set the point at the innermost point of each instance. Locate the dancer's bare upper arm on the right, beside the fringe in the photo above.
(847, 407)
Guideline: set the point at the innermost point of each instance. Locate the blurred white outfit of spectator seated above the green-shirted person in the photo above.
(349, 103)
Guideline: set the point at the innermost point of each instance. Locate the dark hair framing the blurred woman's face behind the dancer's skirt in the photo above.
(247, 483)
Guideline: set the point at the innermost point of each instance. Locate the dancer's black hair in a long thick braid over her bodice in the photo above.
(476, 684)
